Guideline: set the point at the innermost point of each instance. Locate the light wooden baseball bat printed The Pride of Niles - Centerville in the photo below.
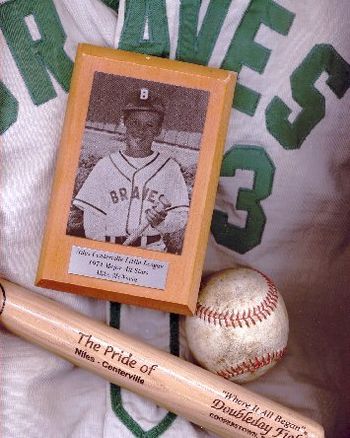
(210, 401)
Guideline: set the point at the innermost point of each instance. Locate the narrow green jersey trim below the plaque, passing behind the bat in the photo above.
(116, 398)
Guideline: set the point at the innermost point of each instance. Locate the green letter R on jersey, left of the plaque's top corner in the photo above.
(35, 55)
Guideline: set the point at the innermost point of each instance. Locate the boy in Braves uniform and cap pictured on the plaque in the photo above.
(136, 186)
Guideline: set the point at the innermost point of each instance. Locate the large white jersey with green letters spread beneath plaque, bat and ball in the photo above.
(300, 241)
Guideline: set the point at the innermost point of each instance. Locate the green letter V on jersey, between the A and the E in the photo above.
(193, 47)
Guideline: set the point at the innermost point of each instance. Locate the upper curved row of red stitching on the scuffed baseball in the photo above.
(247, 317)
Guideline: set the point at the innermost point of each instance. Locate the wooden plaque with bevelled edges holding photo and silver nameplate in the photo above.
(136, 178)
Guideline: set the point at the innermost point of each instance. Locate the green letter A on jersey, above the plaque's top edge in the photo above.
(145, 28)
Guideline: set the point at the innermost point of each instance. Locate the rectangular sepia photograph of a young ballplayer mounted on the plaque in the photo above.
(138, 163)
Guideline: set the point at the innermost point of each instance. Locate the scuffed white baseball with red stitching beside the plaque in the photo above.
(240, 328)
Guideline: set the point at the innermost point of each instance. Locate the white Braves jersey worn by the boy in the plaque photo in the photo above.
(120, 189)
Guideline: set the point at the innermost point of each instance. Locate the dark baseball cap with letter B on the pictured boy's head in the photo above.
(144, 99)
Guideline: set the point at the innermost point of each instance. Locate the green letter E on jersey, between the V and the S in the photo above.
(244, 51)
